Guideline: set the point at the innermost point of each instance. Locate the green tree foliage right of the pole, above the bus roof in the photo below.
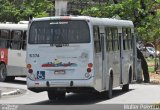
(143, 15)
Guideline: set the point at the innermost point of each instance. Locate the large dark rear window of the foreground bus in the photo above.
(59, 32)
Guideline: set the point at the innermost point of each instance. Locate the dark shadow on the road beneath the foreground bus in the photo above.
(81, 99)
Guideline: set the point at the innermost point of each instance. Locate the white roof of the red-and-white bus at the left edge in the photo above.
(14, 26)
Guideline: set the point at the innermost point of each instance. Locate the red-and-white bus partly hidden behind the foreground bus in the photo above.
(12, 51)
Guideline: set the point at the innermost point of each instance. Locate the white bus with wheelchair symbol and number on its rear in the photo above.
(79, 54)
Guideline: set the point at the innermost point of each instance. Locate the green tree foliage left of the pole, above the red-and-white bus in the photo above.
(16, 10)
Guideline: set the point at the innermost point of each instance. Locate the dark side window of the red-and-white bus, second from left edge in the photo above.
(16, 40)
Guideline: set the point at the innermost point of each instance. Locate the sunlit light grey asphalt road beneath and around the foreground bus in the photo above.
(138, 94)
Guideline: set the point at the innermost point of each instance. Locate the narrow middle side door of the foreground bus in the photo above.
(121, 54)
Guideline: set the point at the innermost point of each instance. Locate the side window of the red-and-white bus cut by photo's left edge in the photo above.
(4, 38)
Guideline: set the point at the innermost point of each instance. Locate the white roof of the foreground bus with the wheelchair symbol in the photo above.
(93, 20)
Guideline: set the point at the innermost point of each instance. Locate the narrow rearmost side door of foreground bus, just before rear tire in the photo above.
(102, 42)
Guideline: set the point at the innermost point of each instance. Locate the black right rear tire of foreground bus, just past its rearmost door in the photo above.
(110, 88)
